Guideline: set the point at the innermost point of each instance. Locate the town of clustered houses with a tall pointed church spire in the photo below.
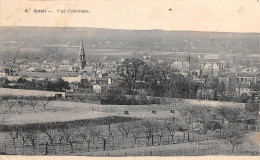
(211, 76)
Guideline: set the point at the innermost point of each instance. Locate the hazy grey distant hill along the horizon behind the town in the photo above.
(152, 40)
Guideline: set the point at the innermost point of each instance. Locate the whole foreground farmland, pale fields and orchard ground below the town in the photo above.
(72, 128)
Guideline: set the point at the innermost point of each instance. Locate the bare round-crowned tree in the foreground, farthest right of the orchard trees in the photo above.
(235, 134)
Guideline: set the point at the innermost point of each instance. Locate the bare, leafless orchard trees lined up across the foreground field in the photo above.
(90, 134)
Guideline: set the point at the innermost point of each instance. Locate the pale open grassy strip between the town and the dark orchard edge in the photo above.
(58, 111)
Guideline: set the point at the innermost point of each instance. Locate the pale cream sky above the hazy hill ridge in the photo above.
(188, 15)
